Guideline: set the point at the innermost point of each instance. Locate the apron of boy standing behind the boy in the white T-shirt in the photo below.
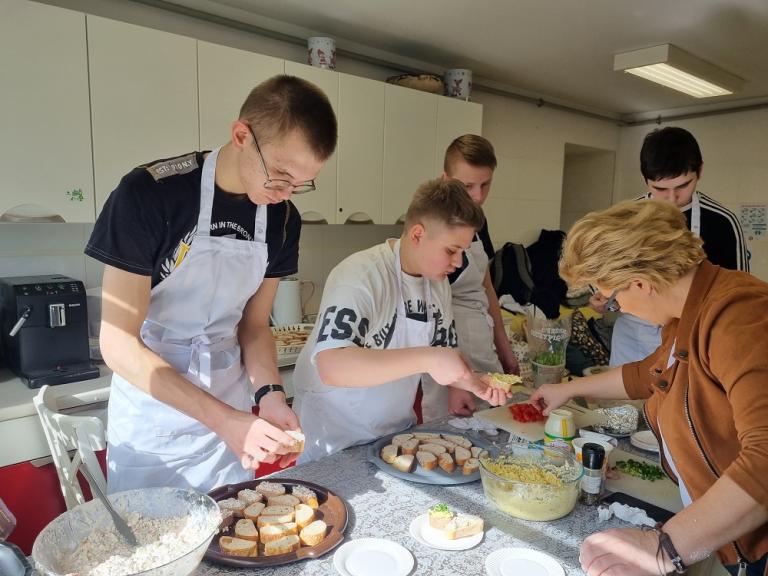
(474, 328)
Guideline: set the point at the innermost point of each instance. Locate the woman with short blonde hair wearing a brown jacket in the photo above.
(704, 387)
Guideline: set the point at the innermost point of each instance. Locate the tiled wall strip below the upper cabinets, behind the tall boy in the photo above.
(33, 249)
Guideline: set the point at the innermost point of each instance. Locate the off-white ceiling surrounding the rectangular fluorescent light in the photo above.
(561, 50)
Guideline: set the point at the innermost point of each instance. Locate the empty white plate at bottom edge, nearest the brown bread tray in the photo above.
(373, 557)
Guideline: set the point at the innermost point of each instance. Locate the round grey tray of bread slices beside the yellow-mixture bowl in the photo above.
(429, 456)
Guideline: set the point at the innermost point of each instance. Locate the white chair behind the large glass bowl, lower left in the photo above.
(72, 440)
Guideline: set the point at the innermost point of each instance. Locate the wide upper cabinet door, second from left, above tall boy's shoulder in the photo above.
(143, 98)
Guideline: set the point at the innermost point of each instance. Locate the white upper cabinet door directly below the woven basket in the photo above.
(410, 123)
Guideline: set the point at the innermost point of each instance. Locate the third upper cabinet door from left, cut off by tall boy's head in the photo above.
(226, 76)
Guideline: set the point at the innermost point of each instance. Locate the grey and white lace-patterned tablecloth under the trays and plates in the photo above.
(383, 506)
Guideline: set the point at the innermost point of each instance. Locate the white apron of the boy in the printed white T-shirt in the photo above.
(334, 418)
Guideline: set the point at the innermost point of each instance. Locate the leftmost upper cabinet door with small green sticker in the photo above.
(45, 140)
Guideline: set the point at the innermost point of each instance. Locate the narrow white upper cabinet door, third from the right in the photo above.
(361, 149)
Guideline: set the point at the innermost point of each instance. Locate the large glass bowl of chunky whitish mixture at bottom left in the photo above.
(172, 525)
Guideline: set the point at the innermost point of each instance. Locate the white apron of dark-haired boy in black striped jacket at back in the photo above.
(633, 338)
